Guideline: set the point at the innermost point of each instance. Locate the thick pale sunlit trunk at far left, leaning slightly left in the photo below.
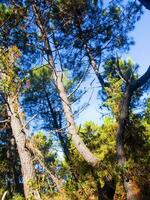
(19, 134)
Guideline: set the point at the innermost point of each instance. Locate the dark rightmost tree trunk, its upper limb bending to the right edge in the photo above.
(132, 193)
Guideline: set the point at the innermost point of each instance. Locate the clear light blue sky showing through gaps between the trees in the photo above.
(140, 54)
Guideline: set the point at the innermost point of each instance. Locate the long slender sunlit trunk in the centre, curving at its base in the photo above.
(77, 141)
